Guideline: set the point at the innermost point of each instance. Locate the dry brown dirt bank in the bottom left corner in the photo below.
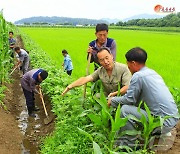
(10, 135)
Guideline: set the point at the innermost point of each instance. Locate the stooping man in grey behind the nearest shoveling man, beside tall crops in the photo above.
(23, 59)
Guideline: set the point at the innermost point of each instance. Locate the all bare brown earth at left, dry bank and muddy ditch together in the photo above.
(19, 133)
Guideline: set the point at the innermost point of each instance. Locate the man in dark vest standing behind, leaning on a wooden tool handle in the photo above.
(102, 40)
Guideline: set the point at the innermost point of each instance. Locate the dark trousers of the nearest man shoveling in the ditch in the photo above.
(29, 100)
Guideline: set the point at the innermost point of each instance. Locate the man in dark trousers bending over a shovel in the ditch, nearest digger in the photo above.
(29, 82)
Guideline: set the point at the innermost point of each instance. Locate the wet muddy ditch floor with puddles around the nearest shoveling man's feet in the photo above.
(33, 129)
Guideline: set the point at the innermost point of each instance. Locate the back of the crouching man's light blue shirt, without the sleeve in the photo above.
(154, 92)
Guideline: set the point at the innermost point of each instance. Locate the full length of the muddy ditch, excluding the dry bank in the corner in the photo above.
(33, 129)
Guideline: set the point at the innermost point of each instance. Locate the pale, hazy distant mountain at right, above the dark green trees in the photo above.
(144, 16)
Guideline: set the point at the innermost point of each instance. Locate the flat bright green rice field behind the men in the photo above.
(162, 48)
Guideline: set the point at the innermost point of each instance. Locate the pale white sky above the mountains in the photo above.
(14, 10)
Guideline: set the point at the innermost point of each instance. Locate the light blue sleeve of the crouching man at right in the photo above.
(132, 95)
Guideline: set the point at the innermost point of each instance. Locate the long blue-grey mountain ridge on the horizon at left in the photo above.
(59, 20)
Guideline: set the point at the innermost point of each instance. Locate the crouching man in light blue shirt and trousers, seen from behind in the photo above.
(147, 86)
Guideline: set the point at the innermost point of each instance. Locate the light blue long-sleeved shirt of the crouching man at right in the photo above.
(148, 86)
